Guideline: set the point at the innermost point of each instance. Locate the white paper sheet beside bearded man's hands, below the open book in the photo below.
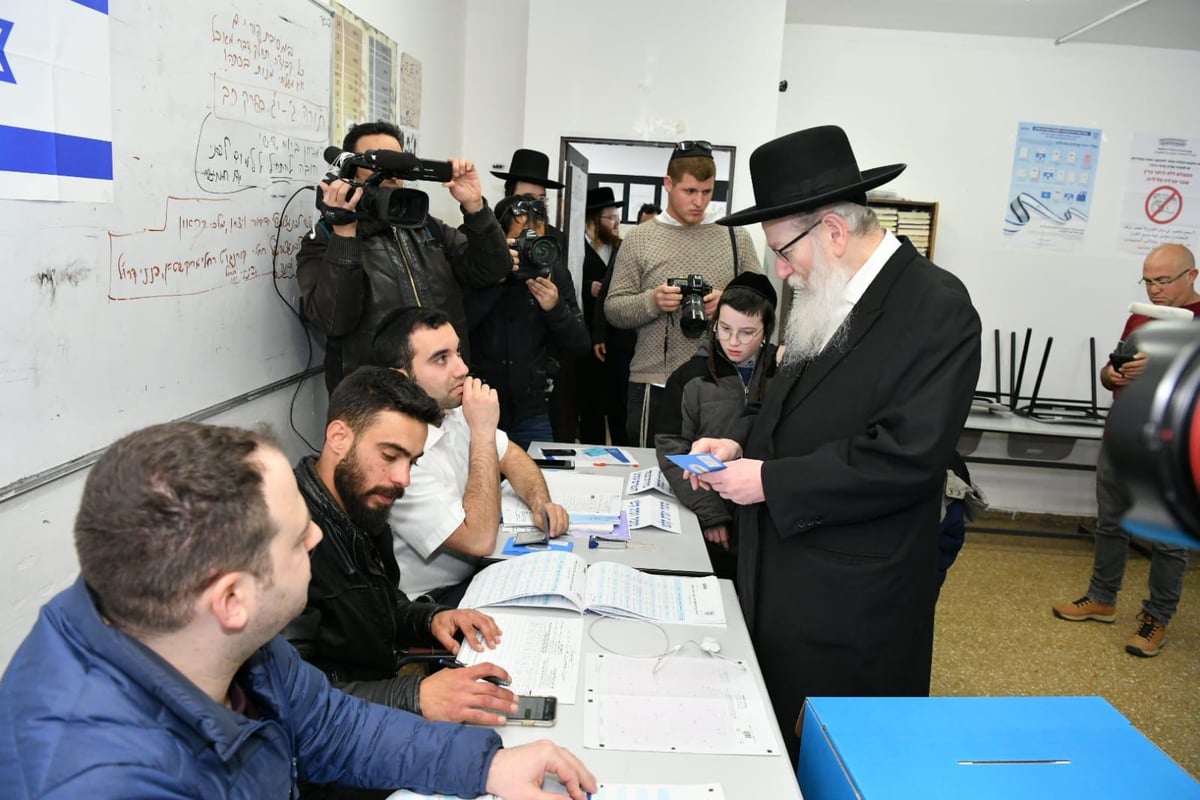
(541, 654)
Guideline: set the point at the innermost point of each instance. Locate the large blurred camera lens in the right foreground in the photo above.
(1155, 434)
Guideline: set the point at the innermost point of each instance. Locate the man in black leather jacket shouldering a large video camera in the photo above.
(352, 275)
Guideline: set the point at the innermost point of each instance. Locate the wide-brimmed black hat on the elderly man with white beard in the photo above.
(805, 171)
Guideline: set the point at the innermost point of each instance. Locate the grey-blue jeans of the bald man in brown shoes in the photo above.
(1167, 564)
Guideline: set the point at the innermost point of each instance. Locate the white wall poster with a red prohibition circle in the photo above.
(1162, 194)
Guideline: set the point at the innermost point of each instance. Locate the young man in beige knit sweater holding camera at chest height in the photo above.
(679, 262)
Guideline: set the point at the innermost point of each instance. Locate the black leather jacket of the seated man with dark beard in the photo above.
(357, 622)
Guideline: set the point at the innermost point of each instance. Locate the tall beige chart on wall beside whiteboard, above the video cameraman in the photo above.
(365, 73)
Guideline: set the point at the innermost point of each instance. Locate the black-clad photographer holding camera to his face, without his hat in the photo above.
(514, 322)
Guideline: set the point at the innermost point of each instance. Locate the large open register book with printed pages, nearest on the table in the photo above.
(560, 580)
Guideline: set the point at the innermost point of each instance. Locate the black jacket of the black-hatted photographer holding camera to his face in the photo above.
(512, 339)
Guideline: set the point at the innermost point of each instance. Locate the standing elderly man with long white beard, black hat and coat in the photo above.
(841, 472)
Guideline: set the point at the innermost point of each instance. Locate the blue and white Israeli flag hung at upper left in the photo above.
(56, 110)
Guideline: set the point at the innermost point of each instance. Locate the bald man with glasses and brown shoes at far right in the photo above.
(1169, 275)
